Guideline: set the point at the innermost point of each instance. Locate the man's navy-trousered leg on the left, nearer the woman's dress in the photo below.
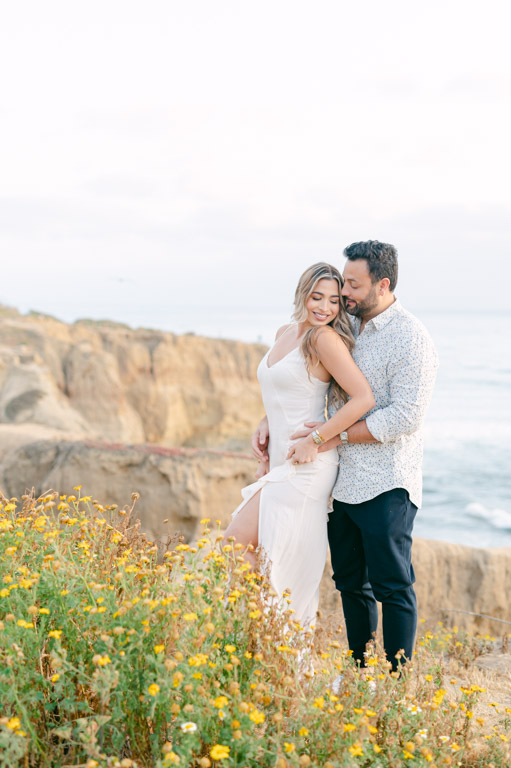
(350, 577)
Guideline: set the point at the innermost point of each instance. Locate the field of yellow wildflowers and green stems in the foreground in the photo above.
(113, 653)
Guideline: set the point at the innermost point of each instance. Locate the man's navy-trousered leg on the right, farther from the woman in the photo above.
(386, 524)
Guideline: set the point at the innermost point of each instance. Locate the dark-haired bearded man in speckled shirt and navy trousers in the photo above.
(379, 485)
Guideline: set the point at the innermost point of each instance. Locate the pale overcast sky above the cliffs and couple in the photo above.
(178, 164)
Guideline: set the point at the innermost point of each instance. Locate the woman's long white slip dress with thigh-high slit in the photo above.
(294, 500)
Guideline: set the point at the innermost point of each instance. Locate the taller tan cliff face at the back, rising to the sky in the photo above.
(110, 382)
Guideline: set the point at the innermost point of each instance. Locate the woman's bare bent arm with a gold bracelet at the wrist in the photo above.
(335, 357)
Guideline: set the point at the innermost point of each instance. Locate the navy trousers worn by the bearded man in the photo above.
(371, 548)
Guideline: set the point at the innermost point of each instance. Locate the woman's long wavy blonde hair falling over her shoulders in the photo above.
(341, 324)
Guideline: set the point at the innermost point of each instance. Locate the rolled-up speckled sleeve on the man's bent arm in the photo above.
(411, 373)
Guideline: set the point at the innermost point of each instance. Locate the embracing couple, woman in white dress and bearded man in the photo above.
(374, 371)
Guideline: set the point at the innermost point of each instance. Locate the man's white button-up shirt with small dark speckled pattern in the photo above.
(397, 356)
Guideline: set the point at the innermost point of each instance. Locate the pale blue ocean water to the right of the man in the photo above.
(467, 454)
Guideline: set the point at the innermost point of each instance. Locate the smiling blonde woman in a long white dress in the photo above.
(285, 511)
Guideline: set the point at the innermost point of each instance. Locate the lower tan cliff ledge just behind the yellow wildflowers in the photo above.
(181, 485)
